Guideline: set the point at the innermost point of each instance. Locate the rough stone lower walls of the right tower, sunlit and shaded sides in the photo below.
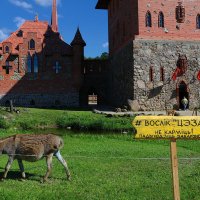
(131, 74)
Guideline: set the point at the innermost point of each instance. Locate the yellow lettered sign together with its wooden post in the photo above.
(171, 128)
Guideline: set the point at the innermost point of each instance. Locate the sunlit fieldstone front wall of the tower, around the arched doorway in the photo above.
(157, 94)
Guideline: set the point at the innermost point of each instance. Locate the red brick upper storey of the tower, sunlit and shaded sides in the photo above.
(127, 21)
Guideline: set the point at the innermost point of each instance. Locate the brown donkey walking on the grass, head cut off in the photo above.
(32, 147)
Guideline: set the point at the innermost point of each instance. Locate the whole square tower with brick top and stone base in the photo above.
(154, 52)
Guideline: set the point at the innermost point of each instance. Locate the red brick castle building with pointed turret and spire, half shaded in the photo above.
(38, 68)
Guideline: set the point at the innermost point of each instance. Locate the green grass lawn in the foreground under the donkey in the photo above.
(108, 167)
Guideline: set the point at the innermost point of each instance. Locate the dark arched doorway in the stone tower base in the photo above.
(183, 92)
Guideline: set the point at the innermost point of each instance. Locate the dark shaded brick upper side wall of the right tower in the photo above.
(123, 23)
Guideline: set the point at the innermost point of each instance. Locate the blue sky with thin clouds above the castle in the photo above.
(72, 13)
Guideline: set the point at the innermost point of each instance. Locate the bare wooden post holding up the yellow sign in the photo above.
(174, 163)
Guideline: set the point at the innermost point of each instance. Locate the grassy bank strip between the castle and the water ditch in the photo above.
(32, 118)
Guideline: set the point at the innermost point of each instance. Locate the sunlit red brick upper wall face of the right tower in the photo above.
(173, 30)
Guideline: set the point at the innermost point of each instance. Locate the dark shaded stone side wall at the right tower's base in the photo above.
(121, 79)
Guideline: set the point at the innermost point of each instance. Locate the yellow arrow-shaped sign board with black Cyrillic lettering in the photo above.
(167, 127)
